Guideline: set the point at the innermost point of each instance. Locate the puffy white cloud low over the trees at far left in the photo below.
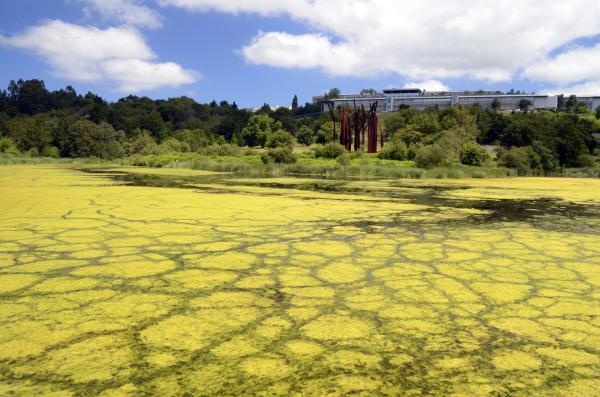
(85, 53)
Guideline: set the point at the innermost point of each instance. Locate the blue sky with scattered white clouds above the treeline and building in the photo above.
(266, 51)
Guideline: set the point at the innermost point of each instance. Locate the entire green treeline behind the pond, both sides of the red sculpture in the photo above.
(38, 122)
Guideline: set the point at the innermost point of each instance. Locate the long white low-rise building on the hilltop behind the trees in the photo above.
(392, 100)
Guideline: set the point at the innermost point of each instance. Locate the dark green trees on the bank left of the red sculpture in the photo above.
(63, 123)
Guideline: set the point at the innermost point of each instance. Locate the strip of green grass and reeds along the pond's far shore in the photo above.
(364, 167)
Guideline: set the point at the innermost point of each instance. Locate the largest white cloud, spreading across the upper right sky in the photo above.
(417, 39)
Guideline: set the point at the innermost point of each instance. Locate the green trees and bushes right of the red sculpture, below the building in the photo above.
(539, 141)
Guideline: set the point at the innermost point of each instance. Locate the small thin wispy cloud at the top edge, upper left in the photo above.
(128, 12)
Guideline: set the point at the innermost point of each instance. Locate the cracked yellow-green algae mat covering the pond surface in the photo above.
(467, 288)
